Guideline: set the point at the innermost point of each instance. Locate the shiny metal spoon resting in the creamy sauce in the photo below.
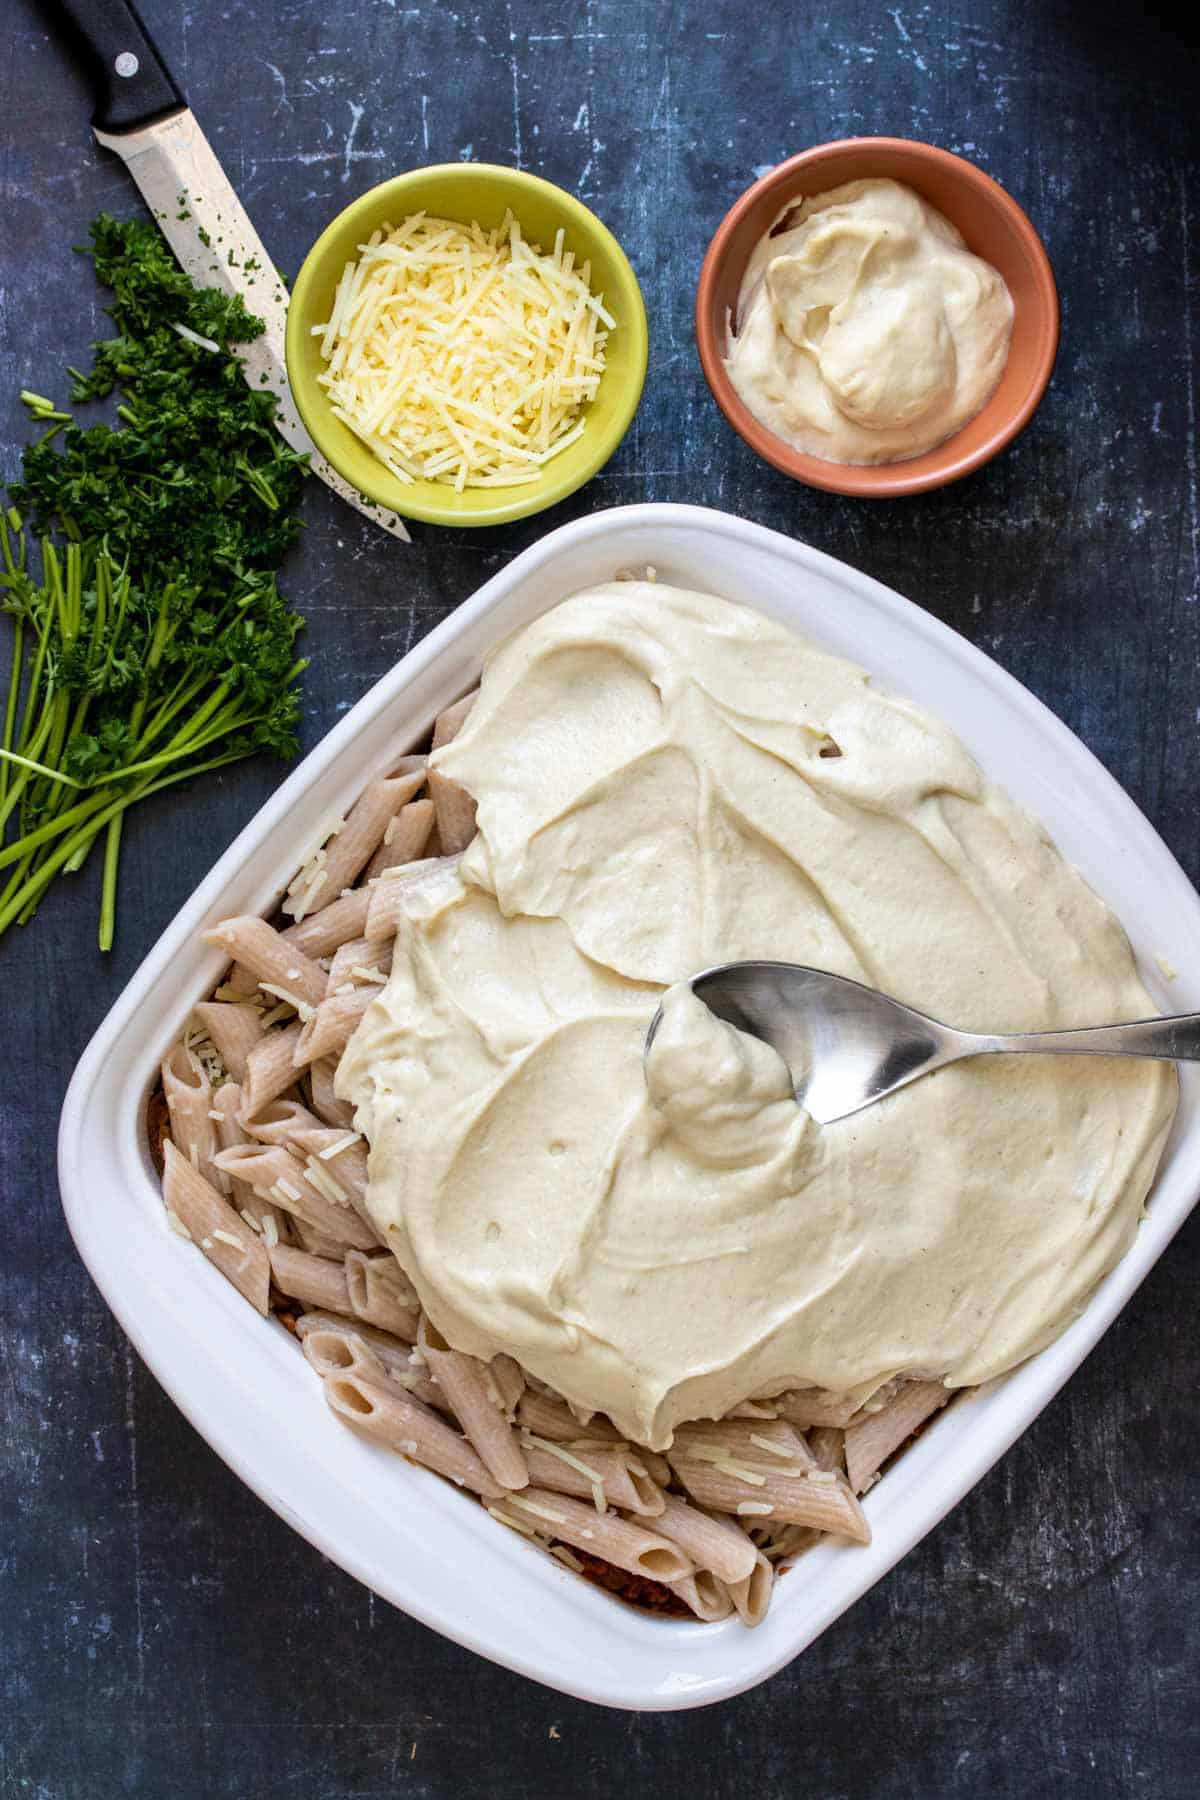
(846, 1045)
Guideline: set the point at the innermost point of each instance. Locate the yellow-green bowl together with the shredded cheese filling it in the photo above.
(467, 345)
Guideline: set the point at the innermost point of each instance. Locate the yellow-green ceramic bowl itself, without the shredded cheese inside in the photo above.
(472, 192)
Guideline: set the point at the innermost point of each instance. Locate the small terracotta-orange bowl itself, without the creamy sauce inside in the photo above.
(994, 228)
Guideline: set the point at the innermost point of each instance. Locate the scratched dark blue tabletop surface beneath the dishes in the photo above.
(163, 1633)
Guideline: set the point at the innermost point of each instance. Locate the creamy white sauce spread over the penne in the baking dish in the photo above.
(663, 1243)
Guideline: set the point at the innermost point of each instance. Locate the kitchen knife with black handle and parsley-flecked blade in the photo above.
(145, 120)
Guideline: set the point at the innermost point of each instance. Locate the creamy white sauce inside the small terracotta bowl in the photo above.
(866, 330)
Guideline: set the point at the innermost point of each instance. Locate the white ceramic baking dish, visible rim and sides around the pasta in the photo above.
(240, 1378)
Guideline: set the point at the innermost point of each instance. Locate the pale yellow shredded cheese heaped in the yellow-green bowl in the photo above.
(461, 355)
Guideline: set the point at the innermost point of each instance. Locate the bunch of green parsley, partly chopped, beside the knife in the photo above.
(138, 562)
